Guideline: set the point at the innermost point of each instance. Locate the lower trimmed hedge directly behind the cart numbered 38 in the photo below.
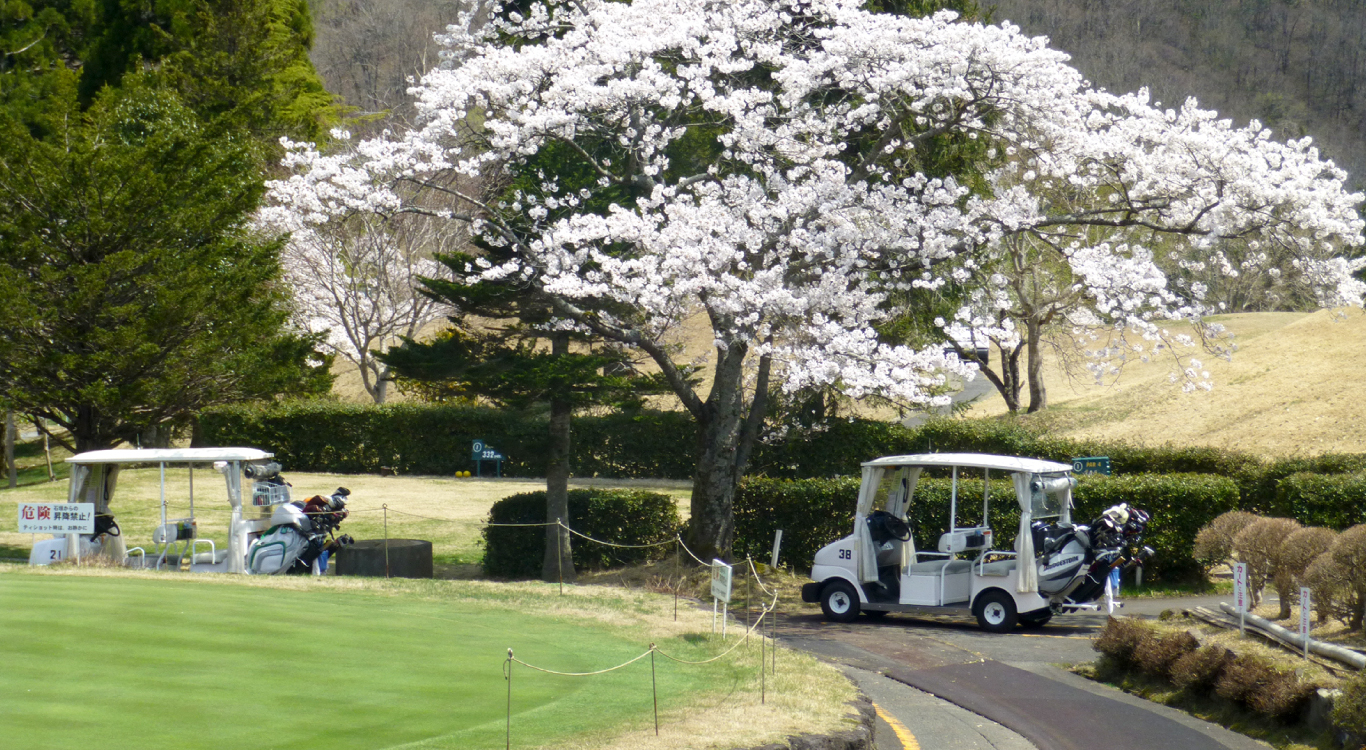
(815, 513)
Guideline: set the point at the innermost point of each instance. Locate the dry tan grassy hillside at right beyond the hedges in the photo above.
(1293, 387)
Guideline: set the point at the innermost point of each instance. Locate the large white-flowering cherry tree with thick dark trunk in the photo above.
(757, 163)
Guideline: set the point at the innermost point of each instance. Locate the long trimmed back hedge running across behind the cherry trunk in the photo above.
(435, 439)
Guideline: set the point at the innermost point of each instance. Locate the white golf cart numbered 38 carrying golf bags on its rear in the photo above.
(1055, 568)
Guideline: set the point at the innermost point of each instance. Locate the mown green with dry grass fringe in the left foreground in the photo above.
(114, 659)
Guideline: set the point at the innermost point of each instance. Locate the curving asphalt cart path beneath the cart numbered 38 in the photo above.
(1007, 686)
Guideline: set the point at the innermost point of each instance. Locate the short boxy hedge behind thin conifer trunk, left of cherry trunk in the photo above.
(615, 516)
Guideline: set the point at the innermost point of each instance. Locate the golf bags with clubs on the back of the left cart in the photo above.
(303, 538)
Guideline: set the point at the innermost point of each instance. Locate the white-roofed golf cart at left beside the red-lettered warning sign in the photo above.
(176, 542)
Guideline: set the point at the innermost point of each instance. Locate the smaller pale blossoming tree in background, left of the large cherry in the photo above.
(357, 279)
